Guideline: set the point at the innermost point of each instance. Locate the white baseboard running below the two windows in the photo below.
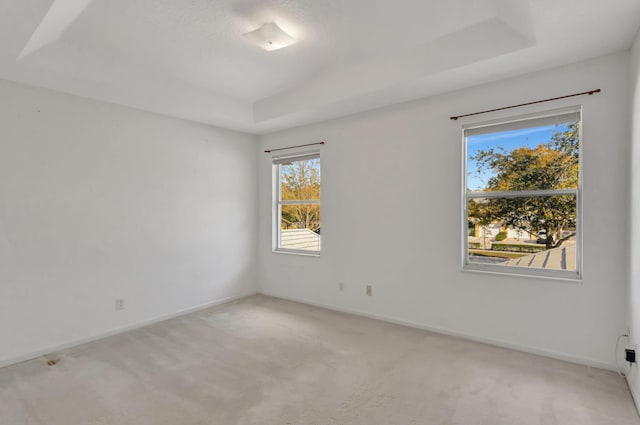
(449, 332)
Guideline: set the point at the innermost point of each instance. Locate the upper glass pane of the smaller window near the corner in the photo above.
(300, 180)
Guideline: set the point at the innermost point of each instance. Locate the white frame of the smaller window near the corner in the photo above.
(278, 202)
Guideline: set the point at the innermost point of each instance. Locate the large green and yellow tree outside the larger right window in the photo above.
(553, 165)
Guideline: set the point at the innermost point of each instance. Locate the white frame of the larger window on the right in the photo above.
(523, 121)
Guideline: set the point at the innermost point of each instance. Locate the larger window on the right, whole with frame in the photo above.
(522, 196)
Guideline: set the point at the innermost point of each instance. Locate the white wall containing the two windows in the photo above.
(387, 174)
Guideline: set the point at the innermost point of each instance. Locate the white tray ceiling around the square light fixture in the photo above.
(188, 58)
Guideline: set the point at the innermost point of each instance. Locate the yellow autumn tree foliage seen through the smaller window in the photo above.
(300, 181)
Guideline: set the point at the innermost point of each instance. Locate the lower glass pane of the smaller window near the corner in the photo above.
(300, 227)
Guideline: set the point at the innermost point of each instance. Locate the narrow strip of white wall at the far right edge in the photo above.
(634, 252)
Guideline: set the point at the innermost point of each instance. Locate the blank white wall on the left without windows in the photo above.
(99, 202)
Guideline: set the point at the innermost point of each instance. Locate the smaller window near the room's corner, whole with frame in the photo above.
(297, 203)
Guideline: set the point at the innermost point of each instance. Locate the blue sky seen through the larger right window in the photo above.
(509, 140)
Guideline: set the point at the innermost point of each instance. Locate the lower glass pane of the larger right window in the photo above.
(532, 232)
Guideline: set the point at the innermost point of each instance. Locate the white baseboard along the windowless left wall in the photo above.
(115, 331)
